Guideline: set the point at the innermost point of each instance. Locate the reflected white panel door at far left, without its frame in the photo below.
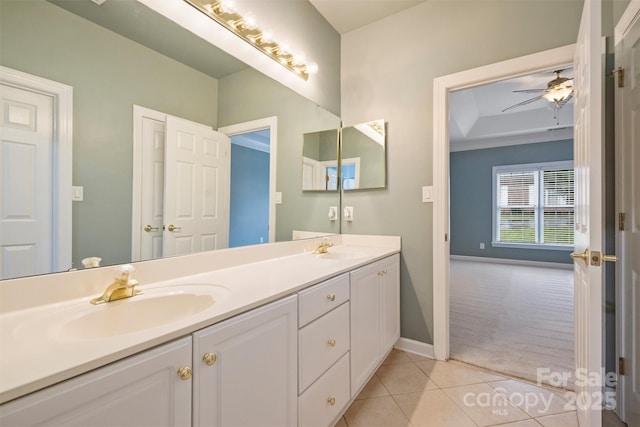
(26, 189)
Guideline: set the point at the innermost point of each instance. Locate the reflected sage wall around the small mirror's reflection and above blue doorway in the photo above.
(255, 97)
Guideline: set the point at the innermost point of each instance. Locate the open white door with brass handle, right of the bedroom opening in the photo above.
(588, 160)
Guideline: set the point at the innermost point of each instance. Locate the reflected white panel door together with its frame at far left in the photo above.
(33, 188)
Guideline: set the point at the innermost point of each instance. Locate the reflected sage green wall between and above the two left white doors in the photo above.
(109, 74)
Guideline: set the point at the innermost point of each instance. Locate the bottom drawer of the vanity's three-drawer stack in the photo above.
(327, 397)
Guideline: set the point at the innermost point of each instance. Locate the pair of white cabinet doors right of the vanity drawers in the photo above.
(375, 317)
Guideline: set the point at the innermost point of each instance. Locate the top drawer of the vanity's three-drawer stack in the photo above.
(314, 302)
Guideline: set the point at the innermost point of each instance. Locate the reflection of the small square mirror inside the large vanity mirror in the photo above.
(320, 160)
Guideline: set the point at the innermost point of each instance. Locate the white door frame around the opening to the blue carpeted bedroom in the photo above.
(442, 86)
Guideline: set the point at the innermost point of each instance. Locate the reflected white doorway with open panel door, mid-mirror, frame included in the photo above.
(181, 186)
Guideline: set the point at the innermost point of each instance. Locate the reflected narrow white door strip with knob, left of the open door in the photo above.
(152, 197)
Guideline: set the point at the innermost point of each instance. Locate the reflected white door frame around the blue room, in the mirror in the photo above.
(270, 123)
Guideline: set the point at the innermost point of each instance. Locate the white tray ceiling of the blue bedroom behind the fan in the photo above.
(477, 119)
